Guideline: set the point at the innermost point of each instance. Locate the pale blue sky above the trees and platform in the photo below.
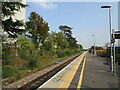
(86, 19)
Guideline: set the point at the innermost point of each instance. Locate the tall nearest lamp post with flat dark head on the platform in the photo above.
(110, 33)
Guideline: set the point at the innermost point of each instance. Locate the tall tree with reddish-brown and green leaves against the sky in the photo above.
(37, 29)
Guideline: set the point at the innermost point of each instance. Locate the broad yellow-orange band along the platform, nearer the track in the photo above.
(68, 79)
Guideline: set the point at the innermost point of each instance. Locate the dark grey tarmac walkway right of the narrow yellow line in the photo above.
(97, 74)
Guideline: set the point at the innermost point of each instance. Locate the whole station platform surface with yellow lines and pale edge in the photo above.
(86, 71)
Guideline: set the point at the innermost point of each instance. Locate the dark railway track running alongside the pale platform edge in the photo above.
(43, 78)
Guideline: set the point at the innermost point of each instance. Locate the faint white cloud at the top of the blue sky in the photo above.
(48, 5)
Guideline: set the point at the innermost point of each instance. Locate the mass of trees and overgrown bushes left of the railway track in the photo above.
(38, 49)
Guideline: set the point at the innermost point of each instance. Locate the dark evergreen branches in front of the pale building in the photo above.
(11, 26)
